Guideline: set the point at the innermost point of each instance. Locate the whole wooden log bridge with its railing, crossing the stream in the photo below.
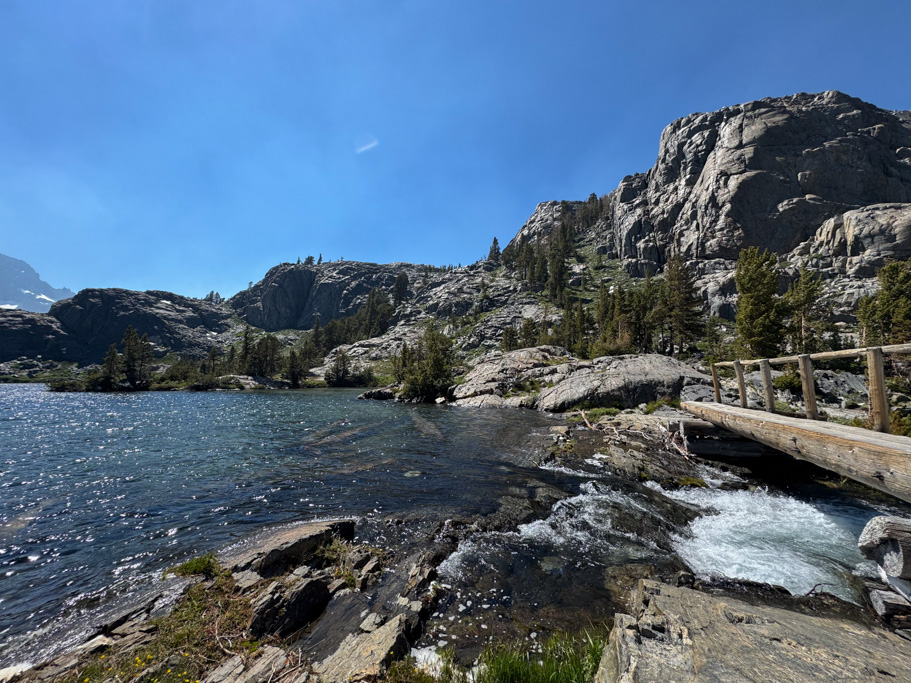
(873, 457)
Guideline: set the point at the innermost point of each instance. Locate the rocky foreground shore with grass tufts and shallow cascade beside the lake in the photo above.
(342, 600)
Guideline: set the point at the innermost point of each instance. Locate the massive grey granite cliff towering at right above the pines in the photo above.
(769, 174)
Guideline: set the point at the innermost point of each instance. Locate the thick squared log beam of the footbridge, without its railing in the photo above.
(882, 461)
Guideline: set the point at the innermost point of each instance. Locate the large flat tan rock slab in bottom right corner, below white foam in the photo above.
(680, 634)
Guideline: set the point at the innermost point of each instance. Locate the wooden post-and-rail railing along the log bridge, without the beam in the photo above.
(879, 401)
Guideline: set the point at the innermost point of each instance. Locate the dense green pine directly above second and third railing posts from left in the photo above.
(760, 313)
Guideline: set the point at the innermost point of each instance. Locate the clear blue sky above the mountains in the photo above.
(190, 146)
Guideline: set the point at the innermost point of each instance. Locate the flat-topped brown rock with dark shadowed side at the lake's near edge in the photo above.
(282, 549)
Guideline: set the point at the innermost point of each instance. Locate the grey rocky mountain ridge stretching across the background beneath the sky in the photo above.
(823, 180)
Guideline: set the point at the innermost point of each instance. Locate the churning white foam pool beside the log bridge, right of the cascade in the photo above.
(775, 539)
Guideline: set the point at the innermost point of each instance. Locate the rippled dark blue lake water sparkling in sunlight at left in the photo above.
(99, 492)
